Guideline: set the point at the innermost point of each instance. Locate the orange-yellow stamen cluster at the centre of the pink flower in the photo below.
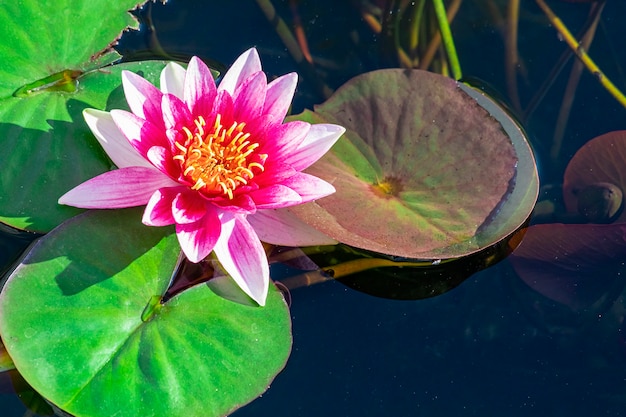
(219, 160)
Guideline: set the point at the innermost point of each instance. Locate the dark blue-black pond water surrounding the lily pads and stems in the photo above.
(491, 346)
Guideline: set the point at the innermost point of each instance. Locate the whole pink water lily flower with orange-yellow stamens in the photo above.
(218, 162)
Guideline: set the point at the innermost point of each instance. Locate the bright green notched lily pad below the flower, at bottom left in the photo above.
(71, 319)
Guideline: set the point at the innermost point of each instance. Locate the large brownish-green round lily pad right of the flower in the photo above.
(428, 168)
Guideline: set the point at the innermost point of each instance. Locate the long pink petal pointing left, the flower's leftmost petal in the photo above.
(120, 188)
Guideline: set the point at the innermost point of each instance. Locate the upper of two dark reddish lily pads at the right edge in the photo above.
(599, 165)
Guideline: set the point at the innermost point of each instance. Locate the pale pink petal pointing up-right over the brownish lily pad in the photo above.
(318, 141)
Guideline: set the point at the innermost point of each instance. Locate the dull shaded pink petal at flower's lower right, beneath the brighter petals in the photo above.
(280, 227)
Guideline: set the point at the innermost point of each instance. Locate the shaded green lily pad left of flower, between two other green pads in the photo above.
(45, 164)
